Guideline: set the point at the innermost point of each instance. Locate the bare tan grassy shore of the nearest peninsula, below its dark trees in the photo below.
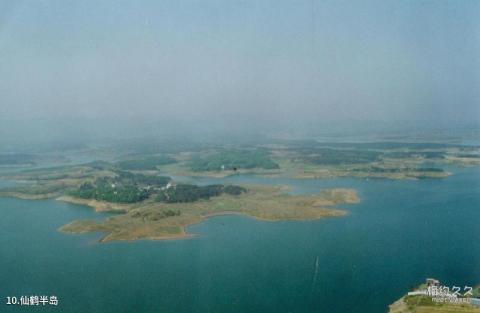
(265, 204)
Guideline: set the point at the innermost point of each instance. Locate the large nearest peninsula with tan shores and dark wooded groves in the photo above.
(153, 206)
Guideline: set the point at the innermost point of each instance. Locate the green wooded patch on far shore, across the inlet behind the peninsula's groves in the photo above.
(232, 160)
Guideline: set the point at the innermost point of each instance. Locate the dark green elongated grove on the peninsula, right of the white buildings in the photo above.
(191, 193)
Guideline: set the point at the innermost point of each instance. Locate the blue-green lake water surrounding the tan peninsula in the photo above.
(401, 233)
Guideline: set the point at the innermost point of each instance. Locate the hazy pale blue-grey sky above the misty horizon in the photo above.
(149, 67)
